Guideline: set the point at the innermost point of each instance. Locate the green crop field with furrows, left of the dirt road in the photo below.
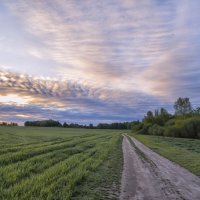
(58, 163)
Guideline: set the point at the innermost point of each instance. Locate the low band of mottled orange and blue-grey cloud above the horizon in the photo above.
(46, 97)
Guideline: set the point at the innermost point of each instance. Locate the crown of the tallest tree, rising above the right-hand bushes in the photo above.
(182, 106)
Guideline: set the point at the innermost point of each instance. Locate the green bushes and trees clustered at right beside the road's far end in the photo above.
(185, 122)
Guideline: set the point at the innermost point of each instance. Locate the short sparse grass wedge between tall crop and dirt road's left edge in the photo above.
(105, 182)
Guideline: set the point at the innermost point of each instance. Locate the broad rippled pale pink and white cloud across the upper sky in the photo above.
(97, 40)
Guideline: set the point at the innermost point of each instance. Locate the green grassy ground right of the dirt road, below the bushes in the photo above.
(185, 152)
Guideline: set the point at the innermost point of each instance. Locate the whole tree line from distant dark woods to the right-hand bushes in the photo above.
(185, 122)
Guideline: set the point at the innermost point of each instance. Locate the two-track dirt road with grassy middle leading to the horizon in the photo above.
(149, 176)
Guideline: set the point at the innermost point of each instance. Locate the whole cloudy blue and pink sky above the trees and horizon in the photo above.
(97, 61)
